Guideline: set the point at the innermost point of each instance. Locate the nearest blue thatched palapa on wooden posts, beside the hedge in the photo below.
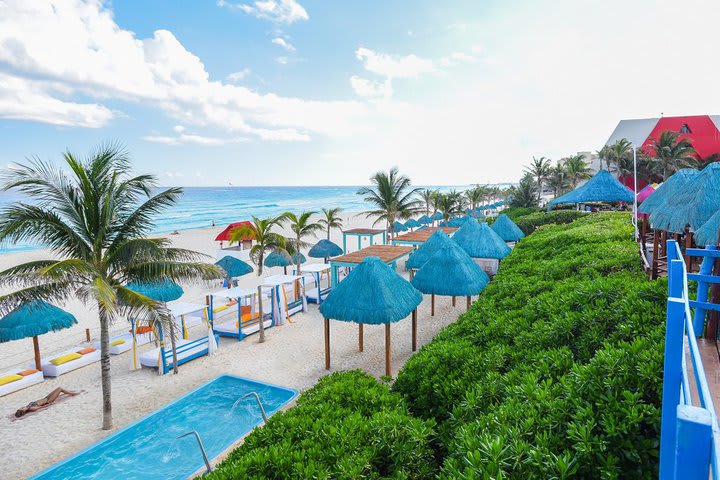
(374, 294)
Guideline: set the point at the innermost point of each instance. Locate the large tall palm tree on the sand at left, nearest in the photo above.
(94, 217)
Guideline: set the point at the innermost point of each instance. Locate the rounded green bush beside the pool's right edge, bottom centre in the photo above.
(347, 426)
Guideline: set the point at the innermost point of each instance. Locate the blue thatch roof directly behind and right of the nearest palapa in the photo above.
(450, 271)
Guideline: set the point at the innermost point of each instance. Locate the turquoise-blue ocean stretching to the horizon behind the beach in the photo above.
(201, 206)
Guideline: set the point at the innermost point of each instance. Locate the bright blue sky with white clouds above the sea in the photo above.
(311, 92)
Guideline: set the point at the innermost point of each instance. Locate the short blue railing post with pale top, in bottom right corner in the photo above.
(694, 443)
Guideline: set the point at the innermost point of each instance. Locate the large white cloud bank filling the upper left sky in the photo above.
(74, 51)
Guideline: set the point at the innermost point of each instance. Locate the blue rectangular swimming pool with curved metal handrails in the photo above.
(149, 448)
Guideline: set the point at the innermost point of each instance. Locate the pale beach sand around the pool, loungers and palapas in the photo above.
(292, 356)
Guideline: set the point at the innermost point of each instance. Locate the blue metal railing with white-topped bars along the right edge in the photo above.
(690, 436)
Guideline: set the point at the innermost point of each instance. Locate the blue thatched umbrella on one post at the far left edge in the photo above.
(32, 320)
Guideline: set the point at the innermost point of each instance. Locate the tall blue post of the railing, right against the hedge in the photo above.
(672, 370)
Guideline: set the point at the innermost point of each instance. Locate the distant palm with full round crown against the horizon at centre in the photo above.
(391, 197)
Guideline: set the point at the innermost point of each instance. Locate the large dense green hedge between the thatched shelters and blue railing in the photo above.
(556, 370)
